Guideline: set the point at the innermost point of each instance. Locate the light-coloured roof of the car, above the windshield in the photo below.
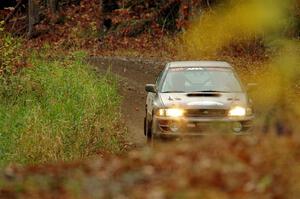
(221, 64)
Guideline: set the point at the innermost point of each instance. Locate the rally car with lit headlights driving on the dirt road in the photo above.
(191, 98)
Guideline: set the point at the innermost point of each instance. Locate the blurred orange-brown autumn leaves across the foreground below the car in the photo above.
(231, 167)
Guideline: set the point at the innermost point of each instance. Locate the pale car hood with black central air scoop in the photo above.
(203, 100)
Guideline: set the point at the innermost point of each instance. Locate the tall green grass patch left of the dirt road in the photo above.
(58, 110)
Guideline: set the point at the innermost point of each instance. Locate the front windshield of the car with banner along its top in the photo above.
(197, 79)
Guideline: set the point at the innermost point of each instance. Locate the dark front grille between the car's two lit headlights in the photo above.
(206, 113)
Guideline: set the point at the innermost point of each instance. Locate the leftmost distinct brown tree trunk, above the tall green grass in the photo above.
(33, 17)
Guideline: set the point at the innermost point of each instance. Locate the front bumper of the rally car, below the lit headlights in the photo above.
(196, 126)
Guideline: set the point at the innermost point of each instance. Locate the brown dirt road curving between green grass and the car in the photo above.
(133, 75)
